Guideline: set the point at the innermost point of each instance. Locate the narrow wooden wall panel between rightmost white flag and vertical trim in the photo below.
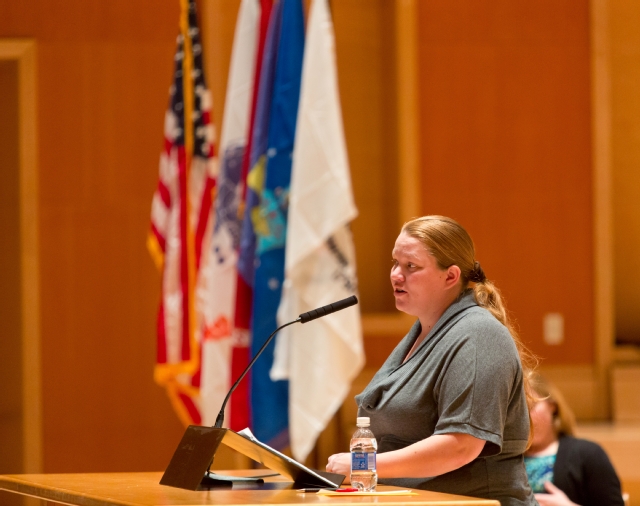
(365, 58)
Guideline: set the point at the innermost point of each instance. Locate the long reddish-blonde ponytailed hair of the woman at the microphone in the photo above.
(450, 244)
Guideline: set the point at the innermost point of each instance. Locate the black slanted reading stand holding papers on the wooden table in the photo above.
(198, 445)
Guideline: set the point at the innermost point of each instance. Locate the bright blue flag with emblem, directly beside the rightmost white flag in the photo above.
(270, 399)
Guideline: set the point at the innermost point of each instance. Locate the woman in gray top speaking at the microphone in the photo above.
(449, 407)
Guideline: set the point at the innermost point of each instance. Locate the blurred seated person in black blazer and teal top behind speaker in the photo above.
(564, 470)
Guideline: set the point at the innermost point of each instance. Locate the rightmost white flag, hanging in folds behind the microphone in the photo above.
(322, 358)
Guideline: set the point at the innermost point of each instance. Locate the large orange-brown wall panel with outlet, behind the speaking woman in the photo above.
(505, 136)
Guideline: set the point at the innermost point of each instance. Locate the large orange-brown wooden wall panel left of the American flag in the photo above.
(104, 72)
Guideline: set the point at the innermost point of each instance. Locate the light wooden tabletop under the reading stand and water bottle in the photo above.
(143, 489)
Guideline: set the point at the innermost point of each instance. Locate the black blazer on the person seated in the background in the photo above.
(584, 472)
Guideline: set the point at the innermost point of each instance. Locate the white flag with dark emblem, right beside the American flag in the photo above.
(218, 291)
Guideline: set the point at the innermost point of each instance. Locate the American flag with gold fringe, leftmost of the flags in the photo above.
(181, 221)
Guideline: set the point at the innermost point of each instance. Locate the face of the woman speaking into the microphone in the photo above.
(418, 283)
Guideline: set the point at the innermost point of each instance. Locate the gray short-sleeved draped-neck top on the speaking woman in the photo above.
(465, 377)
